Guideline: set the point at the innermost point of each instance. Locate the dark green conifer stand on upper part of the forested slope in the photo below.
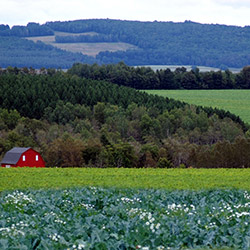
(57, 93)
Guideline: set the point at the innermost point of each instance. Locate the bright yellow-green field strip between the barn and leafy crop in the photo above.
(171, 179)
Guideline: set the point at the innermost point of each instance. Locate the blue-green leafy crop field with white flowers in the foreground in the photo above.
(111, 218)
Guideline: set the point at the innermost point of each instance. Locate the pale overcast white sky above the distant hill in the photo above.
(229, 12)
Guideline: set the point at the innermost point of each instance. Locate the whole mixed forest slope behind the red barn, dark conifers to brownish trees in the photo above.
(79, 122)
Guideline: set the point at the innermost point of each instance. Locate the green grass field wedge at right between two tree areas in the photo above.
(235, 101)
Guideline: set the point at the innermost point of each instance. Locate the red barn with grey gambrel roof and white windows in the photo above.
(22, 157)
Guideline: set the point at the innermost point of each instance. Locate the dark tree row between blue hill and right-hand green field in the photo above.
(146, 78)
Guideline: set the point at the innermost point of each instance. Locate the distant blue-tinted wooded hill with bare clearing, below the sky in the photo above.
(60, 44)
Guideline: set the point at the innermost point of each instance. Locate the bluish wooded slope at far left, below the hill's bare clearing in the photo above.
(19, 52)
